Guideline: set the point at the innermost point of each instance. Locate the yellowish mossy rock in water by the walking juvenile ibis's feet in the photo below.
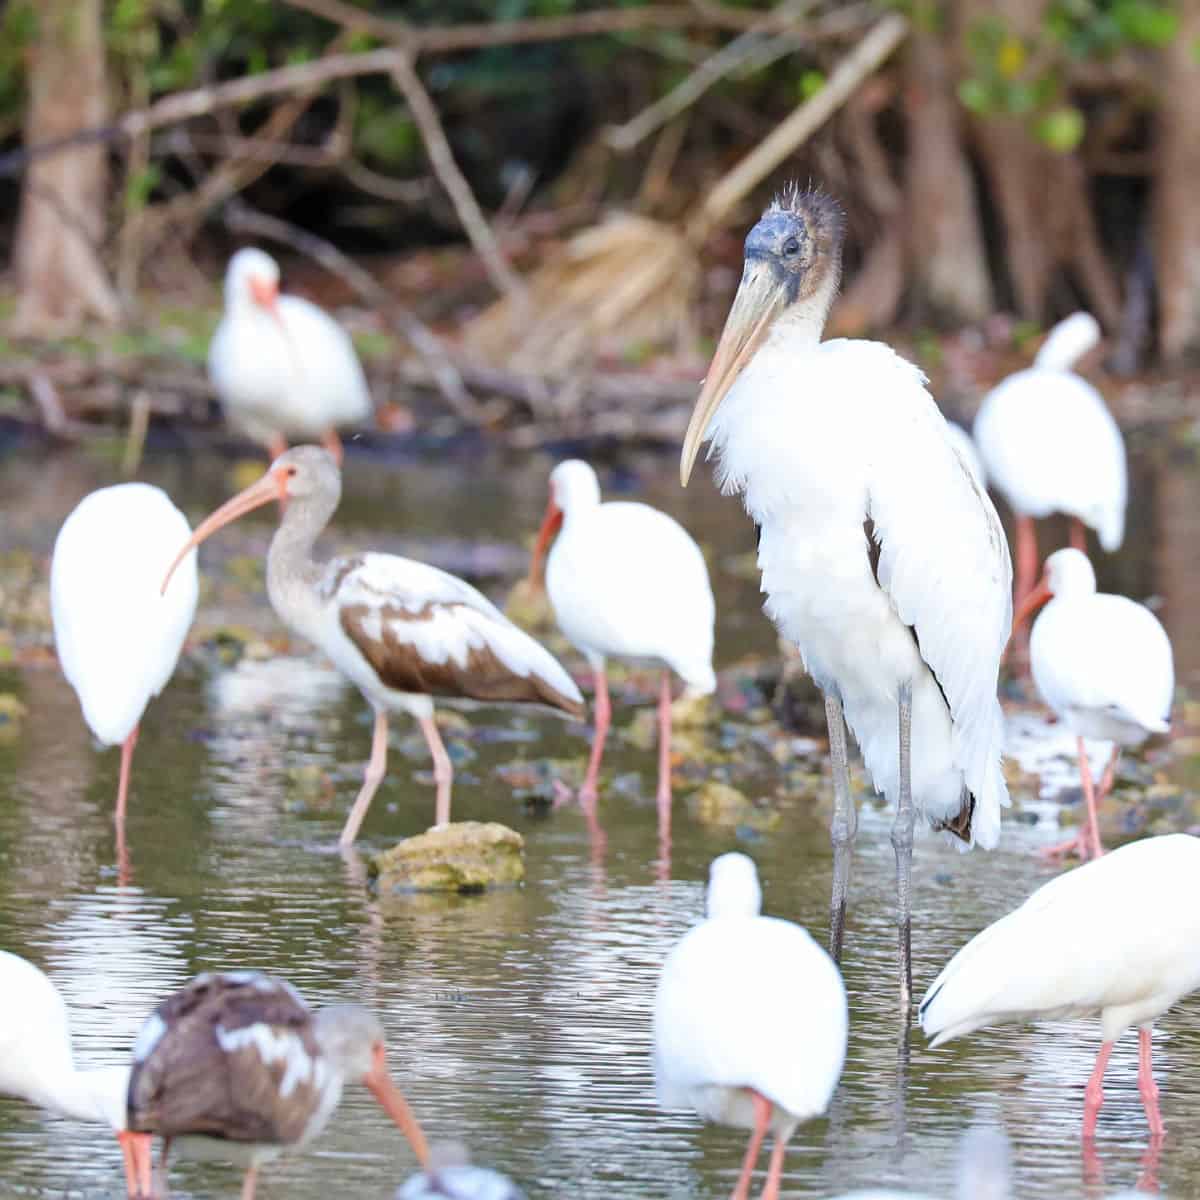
(465, 856)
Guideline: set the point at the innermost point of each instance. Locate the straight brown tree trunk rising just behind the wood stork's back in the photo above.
(949, 267)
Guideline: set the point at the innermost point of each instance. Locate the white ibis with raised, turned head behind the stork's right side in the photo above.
(1051, 446)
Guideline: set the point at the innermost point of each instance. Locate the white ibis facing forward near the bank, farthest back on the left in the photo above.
(283, 368)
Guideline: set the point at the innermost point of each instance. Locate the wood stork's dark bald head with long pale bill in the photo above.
(793, 265)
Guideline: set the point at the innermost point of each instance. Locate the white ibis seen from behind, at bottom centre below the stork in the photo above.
(749, 1021)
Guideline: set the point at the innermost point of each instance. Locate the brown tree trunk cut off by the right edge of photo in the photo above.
(1177, 185)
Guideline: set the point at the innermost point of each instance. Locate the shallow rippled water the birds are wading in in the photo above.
(519, 1022)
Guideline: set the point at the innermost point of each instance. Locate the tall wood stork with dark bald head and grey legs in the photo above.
(883, 559)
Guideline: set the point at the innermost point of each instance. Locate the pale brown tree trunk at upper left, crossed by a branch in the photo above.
(61, 277)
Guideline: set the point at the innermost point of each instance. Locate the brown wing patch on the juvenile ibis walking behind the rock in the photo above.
(400, 664)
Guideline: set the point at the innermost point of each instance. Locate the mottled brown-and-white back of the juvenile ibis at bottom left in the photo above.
(203, 1071)
